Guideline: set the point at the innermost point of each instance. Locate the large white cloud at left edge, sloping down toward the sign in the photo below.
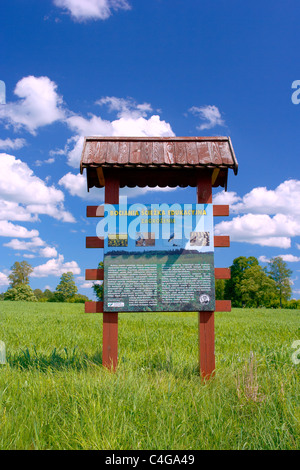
(23, 195)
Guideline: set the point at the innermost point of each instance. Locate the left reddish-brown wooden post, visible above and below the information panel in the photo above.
(110, 320)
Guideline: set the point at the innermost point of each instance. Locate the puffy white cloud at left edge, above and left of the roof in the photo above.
(39, 104)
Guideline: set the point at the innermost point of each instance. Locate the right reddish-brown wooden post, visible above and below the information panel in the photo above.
(206, 319)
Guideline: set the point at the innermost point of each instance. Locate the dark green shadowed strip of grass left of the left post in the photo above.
(55, 360)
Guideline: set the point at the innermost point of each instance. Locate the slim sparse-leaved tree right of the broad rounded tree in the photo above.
(279, 272)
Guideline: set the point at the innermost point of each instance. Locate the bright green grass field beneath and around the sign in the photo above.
(54, 393)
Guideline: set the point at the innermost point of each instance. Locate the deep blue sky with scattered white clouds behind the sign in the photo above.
(159, 67)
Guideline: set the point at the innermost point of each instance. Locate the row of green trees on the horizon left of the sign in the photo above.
(19, 288)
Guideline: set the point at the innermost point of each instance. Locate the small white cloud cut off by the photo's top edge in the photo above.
(83, 10)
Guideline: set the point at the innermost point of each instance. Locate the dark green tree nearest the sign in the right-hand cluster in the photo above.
(232, 286)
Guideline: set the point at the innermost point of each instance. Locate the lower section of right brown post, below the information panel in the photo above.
(206, 328)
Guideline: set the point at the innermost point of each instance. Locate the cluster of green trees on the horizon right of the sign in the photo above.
(251, 285)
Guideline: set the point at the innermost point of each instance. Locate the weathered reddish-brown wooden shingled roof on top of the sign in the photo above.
(157, 161)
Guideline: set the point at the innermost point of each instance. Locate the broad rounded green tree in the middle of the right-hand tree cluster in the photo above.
(257, 288)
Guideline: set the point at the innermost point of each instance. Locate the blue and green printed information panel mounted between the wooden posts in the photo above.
(159, 257)
